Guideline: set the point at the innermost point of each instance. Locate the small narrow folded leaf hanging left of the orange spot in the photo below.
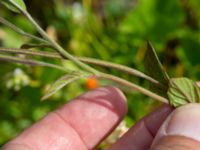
(62, 82)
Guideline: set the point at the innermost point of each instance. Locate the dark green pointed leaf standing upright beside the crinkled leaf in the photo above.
(155, 70)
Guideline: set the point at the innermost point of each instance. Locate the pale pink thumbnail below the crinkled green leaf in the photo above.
(184, 121)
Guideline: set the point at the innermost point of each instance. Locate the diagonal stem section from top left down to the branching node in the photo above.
(52, 42)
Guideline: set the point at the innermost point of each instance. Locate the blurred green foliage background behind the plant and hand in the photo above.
(112, 30)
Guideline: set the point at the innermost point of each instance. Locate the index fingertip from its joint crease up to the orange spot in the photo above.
(98, 111)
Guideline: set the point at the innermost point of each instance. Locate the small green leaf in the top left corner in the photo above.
(10, 5)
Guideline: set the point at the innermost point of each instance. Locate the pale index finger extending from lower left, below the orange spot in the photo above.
(79, 125)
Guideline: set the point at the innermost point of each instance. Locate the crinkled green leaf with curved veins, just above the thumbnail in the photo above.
(182, 91)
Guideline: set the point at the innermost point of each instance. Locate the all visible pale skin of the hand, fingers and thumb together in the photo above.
(84, 122)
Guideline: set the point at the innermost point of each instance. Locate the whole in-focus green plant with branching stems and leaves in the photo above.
(163, 87)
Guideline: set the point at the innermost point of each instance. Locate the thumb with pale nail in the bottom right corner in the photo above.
(180, 131)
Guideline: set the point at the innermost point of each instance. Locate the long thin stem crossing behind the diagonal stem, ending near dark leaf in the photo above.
(86, 60)
